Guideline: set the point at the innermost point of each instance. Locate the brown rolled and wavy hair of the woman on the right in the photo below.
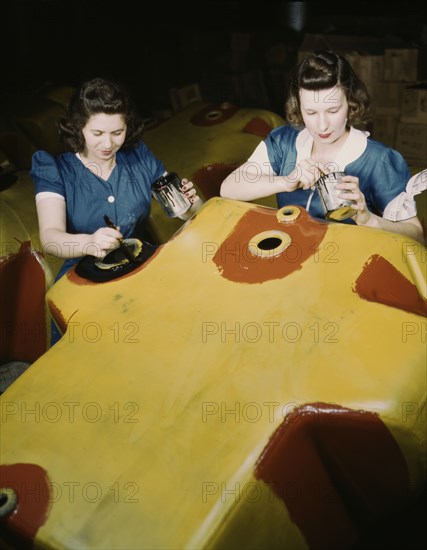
(322, 70)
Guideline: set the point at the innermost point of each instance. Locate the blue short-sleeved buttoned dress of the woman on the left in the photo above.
(125, 197)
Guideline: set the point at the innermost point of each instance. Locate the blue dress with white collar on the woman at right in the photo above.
(383, 173)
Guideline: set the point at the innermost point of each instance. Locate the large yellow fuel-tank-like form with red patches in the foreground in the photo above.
(227, 392)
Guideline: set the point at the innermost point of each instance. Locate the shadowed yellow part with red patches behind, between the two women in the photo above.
(203, 143)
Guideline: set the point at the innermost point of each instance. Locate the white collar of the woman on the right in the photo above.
(354, 147)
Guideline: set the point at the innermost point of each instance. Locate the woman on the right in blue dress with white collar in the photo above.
(327, 111)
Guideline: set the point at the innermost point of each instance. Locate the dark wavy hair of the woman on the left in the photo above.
(99, 96)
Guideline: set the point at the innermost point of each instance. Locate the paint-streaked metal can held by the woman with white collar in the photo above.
(336, 209)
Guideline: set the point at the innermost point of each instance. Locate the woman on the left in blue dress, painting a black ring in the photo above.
(106, 176)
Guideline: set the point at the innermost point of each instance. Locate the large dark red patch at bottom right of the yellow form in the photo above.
(336, 470)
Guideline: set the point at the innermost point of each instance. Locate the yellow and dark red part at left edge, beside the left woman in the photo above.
(25, 275)
